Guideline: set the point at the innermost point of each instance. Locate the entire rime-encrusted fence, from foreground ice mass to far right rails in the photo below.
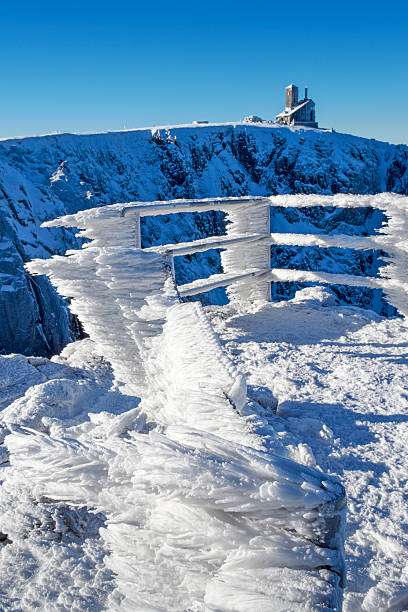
(198, 511)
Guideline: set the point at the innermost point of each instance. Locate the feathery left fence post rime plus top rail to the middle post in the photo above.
(120, 292)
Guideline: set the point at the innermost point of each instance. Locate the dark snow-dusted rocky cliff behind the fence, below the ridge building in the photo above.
(45, 177)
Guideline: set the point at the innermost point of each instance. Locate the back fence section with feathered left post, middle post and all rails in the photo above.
(119, 290)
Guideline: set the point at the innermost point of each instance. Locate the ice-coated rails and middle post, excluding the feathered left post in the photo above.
(246, 246)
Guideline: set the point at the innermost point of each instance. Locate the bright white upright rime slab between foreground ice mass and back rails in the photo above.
(192, 382)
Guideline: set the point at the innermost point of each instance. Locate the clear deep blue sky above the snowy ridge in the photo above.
(95, 66)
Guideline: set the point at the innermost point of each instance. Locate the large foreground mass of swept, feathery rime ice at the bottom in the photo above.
(195, 521)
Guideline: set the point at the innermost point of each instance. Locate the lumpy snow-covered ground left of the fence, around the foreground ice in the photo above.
(51, 553)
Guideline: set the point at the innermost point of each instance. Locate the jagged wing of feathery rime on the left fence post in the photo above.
(108, 282)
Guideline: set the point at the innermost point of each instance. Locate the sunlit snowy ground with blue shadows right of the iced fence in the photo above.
(340, 378)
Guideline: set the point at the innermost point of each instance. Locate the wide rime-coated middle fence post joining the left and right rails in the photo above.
(248, 218)
